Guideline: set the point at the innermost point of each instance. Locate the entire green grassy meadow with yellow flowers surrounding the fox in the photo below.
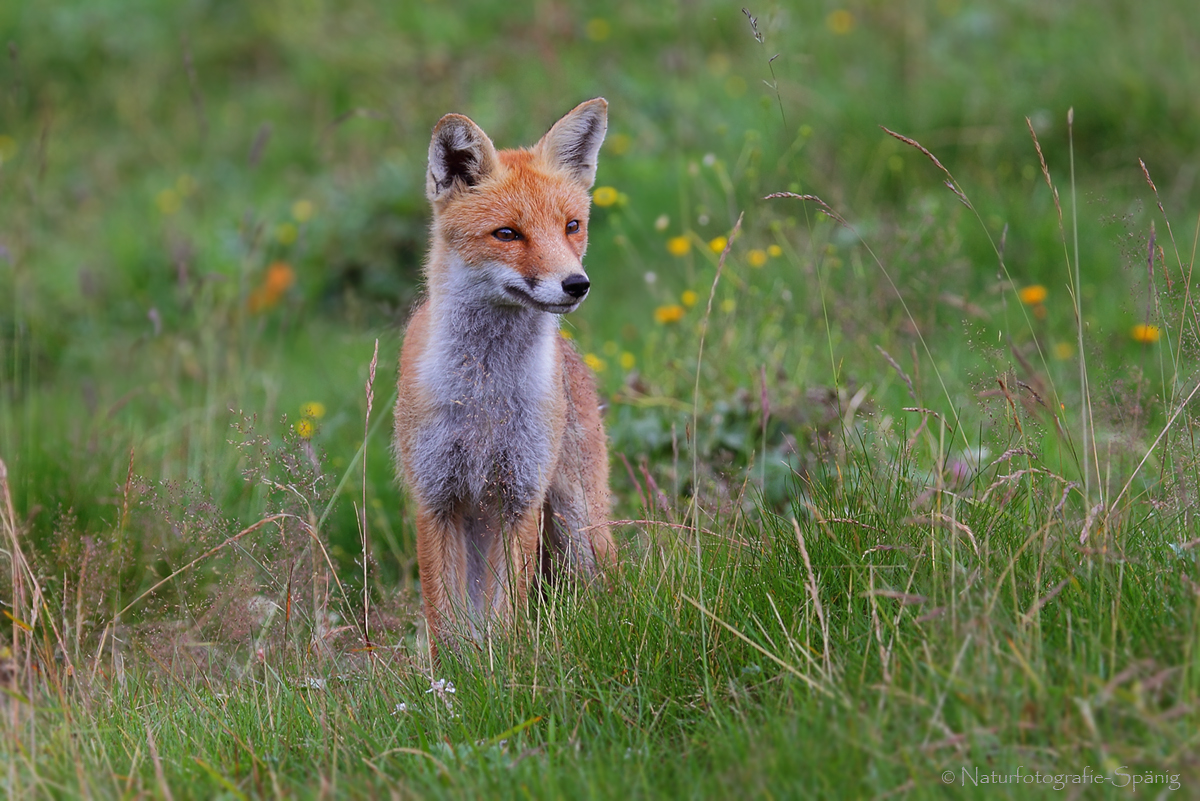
(891, 312)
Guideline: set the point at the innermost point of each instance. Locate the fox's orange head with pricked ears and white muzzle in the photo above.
(512, 226)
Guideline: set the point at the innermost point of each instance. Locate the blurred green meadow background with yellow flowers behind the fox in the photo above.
(212, 210)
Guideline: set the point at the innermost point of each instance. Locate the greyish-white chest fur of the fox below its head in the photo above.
(489, 414)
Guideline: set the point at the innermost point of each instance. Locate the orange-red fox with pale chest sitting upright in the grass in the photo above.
(499, 431)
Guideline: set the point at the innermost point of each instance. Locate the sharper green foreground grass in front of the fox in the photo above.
(879, 633)
